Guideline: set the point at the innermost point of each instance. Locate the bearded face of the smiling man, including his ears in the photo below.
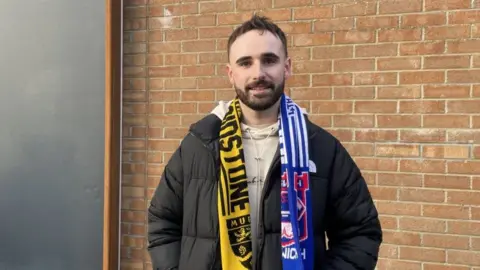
(258, 69)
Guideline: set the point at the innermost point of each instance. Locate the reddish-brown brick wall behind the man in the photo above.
(397, 81)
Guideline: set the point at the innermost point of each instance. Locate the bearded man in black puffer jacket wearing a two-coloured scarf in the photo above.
(256, 185)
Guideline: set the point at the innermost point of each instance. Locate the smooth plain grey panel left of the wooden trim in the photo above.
(52, 134)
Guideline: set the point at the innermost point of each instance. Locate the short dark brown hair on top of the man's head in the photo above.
(262, 24)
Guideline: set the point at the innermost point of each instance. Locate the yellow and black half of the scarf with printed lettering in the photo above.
(233, 201)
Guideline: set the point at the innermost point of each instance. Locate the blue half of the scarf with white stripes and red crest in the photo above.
(297, 230)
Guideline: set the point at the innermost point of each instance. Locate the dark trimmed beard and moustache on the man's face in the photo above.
(263, 101)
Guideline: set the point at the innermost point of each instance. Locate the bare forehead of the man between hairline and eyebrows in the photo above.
(255, 43)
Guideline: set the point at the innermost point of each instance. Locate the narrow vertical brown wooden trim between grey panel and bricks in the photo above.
(113, 93)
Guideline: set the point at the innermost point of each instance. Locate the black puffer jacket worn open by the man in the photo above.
(183, 223)
